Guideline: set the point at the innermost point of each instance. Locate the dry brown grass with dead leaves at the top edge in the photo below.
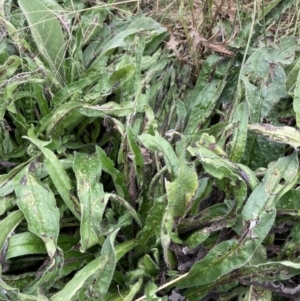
(198, 28)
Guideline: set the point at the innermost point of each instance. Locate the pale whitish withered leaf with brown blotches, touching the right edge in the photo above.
(285, 134)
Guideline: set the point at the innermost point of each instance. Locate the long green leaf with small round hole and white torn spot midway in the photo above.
(258, 216)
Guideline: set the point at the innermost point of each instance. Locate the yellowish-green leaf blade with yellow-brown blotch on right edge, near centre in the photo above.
(181, 191)
